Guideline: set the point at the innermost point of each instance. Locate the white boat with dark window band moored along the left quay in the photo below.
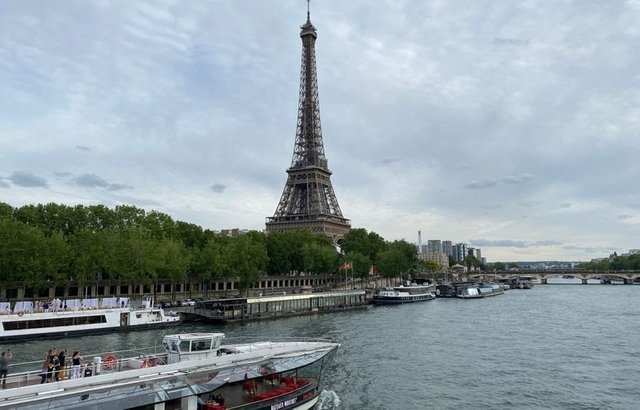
(62, 318)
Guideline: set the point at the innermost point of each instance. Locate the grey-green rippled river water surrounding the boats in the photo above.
(570, 347)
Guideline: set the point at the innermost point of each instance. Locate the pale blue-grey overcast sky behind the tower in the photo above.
(510, 125)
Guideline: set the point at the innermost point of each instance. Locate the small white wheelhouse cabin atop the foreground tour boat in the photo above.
(191, 346)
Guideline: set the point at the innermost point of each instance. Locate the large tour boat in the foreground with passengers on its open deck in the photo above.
(195, 371)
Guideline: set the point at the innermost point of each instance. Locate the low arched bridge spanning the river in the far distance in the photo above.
(628, 277)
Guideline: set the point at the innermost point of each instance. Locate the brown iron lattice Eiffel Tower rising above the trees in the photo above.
(308, 200)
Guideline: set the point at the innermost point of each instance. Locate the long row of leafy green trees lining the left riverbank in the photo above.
(59, 244)
